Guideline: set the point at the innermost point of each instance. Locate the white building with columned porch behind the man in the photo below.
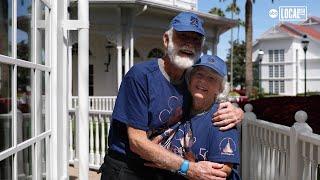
(119, 28)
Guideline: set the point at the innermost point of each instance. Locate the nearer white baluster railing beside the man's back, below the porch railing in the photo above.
(99, 125)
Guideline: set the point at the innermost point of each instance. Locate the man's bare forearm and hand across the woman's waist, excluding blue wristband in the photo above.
(162, 158)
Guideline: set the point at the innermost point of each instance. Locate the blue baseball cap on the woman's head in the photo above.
(213, 62)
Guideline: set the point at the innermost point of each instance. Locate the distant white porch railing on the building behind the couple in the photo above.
(96, 103)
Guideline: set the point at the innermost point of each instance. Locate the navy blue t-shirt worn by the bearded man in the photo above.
(146, 101)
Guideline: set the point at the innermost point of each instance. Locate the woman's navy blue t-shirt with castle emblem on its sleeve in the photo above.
(200, 140)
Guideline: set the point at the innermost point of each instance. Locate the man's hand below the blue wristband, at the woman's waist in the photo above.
(204, 170)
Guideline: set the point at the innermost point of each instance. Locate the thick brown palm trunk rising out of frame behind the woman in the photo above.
(248, 27)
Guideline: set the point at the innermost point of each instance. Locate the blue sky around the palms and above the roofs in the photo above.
(261, 20)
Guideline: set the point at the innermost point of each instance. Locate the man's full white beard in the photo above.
(180, 62)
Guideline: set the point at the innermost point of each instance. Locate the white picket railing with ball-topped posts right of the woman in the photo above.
(272, 151)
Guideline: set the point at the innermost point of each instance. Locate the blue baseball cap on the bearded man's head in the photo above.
(187, 21)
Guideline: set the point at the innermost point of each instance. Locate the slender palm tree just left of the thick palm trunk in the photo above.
(234, 9)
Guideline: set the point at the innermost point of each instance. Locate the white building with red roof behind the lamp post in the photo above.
(282, 65)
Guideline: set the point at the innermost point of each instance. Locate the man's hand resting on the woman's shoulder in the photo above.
(227, 116)
